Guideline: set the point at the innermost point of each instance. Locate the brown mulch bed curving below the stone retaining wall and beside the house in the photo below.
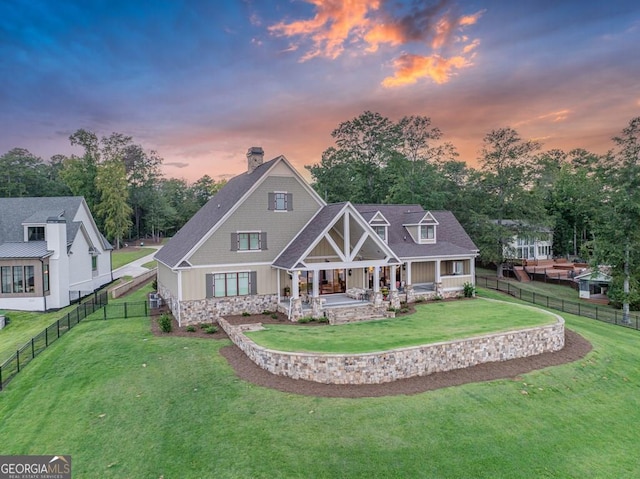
(576, 347)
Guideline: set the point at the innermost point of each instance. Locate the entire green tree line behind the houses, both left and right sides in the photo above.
(590, 201)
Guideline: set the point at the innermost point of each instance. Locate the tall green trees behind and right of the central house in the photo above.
(590, 201)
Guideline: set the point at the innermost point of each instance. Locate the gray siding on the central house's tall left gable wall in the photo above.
(255, 215)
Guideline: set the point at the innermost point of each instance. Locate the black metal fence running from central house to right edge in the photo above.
(600, 313)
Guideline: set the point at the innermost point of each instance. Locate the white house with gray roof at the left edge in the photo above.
(50, 251)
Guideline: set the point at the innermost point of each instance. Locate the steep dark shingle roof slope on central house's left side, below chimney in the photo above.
(209, 215)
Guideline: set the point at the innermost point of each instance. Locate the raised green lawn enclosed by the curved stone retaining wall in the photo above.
(433, 322)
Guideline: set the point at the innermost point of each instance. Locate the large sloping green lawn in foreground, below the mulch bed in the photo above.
(127, 404)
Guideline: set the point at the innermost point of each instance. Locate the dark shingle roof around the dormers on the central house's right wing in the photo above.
(451, 238)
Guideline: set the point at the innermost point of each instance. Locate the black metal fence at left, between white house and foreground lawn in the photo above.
(27, 352)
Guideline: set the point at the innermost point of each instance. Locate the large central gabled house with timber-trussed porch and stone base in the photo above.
(268, 241)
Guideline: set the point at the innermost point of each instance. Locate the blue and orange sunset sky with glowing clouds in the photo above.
(200, 82)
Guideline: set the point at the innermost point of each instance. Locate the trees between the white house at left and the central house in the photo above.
(120, 181)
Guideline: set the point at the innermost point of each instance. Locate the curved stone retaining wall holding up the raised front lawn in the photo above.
(387, 366)
